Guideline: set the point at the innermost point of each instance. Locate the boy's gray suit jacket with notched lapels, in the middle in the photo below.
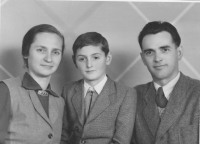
(110, 121)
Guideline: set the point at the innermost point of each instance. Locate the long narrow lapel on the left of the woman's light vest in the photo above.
(38, 106)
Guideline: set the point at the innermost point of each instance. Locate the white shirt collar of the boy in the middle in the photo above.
(98, 87)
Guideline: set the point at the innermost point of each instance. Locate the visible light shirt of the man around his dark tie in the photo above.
(167, 89)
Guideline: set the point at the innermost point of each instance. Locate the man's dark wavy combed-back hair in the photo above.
(159, 26)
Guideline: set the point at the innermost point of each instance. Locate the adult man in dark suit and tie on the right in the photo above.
(168, 107)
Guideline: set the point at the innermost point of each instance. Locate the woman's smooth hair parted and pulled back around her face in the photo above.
(30, 37)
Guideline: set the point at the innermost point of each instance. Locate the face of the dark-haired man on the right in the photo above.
(161, 56)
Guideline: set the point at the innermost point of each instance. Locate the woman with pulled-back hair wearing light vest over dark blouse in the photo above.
(30, 112)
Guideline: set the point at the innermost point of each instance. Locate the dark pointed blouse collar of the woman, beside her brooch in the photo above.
(29, 83)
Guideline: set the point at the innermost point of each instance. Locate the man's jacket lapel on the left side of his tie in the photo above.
(151, 113)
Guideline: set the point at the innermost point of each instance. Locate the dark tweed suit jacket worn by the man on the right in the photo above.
(180, 121)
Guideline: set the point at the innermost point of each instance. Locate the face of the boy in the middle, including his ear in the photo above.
(92, 62)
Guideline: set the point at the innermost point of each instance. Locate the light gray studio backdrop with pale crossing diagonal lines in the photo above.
(120, 22)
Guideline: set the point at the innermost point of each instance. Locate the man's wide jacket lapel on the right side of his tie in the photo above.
(173, 109)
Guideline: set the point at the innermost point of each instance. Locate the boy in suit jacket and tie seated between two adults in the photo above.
(98, 110)
